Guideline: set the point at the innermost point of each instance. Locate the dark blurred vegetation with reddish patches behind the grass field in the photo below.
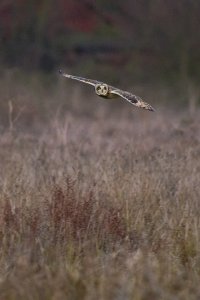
(157, 37)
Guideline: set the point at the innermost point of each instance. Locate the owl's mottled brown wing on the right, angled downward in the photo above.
(135, 100)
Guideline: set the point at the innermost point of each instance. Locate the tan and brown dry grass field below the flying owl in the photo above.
(97, 201)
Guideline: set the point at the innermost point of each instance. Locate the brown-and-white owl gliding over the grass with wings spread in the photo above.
(107, 91)
